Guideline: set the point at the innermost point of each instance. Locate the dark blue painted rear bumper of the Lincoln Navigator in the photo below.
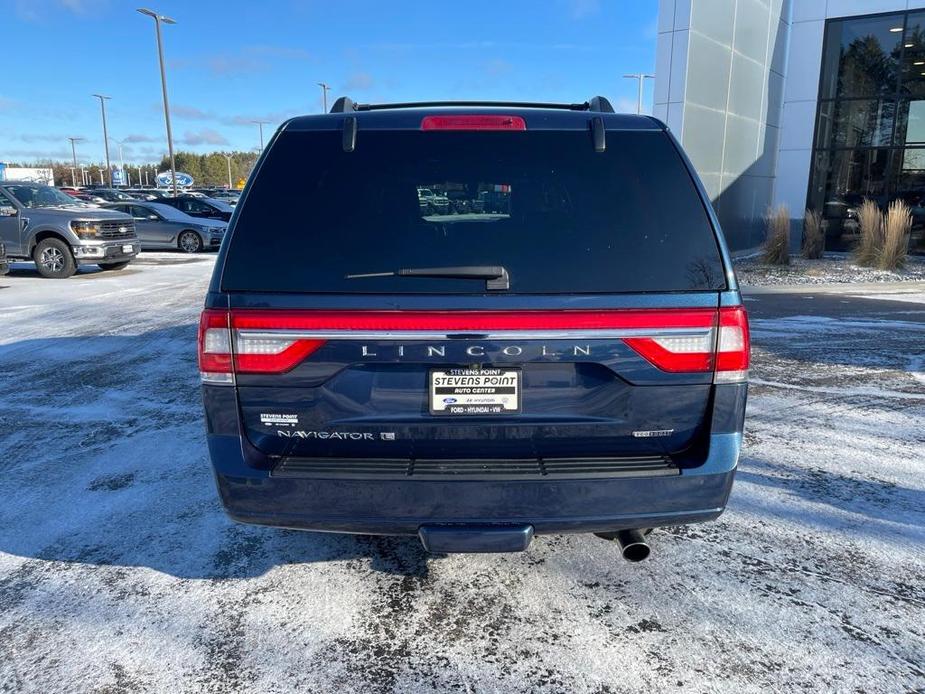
(401, 507)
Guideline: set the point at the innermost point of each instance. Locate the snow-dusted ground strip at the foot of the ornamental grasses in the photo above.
(834, 268)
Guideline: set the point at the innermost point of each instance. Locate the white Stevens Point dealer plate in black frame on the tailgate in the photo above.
(458, 400)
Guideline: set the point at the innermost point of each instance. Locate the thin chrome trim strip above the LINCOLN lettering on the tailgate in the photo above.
(409, 335)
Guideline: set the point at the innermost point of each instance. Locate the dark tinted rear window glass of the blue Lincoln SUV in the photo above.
(558, 216)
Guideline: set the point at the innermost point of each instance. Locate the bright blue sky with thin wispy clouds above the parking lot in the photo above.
(233, 62)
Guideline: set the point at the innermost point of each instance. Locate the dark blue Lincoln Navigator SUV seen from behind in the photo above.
(558, 346)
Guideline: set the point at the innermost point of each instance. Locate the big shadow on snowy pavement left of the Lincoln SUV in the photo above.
(103, 461)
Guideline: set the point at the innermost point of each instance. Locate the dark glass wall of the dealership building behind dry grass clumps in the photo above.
(870, 131)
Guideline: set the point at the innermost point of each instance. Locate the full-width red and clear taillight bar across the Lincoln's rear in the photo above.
(273, 341)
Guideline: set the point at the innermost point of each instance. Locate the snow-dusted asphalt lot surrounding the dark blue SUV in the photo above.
(120, 573)
